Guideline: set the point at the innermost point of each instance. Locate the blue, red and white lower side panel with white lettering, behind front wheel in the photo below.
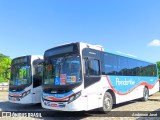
(131, 87)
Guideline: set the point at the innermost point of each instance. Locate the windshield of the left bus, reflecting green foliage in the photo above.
(20, 75)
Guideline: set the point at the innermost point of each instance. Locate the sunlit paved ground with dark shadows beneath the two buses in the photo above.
(128, 110)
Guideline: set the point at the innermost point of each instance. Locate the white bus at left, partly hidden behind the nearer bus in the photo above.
(26, 79)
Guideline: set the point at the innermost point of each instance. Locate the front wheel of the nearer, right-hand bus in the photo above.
(107, 103)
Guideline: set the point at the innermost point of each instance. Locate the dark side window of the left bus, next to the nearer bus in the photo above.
(37, 78)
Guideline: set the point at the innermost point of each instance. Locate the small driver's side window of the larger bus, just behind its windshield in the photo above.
(94, 67)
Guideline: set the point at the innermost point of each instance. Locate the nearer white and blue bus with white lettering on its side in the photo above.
(82, 77)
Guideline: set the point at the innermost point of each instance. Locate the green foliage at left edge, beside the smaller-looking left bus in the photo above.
(5, 63)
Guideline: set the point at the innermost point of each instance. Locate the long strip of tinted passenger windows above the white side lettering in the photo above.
(119, 65)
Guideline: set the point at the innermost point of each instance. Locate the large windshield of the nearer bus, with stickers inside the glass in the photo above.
(62, 70)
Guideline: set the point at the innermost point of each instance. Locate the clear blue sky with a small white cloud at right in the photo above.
(29, 27)
